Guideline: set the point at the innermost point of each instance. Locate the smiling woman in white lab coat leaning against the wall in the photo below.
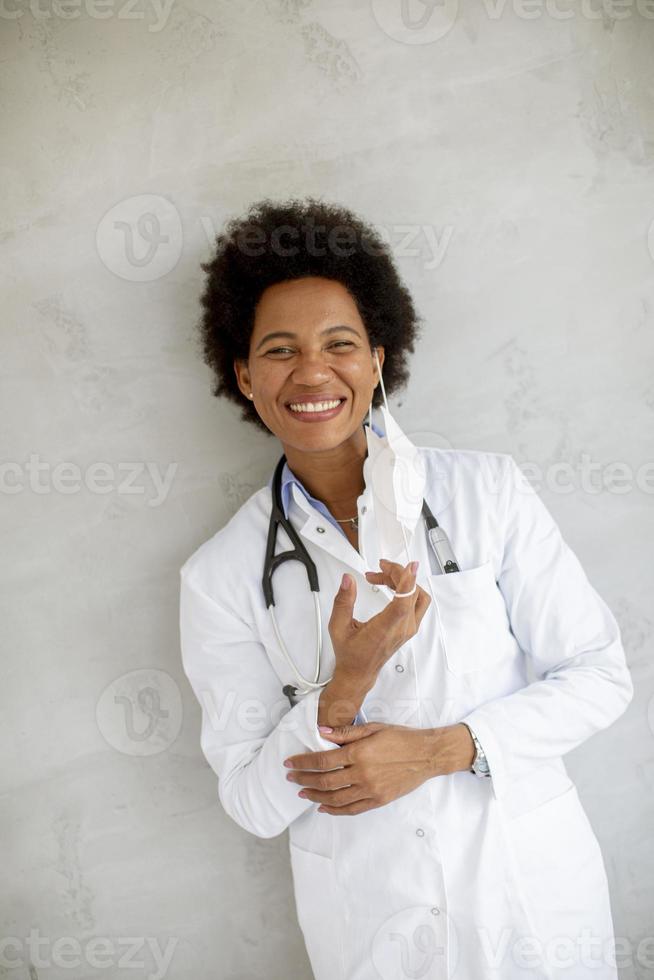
(405, 863)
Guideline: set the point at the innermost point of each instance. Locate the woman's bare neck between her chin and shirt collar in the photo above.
(334, 476)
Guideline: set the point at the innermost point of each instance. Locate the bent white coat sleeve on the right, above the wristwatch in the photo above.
(567, 630)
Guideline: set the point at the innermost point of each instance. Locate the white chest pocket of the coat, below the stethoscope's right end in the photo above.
(474, 621)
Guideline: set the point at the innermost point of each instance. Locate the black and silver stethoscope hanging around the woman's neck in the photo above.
(438, 540)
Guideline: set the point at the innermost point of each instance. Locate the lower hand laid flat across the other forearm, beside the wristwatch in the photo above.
(378, 763)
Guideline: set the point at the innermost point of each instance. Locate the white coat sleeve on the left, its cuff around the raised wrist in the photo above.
(247, 726)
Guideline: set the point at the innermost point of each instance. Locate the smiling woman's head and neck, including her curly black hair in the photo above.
(332, 299)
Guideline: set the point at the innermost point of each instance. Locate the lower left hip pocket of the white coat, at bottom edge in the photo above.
(318, 911)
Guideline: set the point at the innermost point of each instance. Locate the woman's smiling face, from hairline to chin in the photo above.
(309, 344)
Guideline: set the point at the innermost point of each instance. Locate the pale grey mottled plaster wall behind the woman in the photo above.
(507, 151)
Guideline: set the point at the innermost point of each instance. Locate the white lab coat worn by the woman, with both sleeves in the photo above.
(464, 877)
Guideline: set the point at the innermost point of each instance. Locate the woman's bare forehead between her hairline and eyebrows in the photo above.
(298, 304)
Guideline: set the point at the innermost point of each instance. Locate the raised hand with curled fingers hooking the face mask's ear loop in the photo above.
(361, 649)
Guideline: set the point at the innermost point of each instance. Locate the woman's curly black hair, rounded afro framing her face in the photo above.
(250, 255)
